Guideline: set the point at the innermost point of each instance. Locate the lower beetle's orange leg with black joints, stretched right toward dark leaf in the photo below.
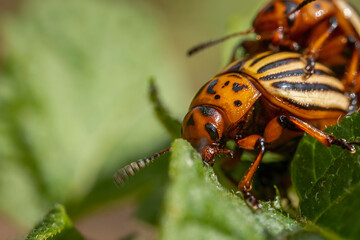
(325, 139)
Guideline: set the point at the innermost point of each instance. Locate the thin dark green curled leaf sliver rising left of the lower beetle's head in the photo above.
(172, 125)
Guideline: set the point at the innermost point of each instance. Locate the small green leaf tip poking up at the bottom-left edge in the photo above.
(55, 225)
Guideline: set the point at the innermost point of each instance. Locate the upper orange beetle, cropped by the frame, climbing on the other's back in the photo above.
(323, 30)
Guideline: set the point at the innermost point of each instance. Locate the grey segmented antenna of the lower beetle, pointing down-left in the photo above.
(123, 174)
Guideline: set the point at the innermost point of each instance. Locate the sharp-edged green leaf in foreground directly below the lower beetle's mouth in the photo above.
(198, 207)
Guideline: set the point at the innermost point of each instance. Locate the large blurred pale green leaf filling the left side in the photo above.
(73, 98)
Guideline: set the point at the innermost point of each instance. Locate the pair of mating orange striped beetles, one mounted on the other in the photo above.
(269, 98)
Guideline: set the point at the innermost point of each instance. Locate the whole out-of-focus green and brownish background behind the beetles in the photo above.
(74, 102)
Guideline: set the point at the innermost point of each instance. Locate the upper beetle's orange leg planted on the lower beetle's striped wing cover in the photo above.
(313, 49)
